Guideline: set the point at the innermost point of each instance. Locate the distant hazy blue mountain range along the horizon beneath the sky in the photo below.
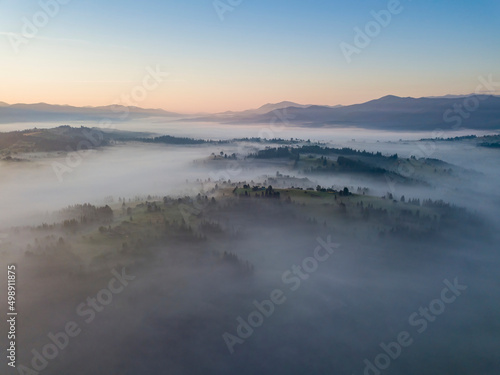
(481, 112)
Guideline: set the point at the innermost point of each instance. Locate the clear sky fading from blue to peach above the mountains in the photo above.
(213, 56)
